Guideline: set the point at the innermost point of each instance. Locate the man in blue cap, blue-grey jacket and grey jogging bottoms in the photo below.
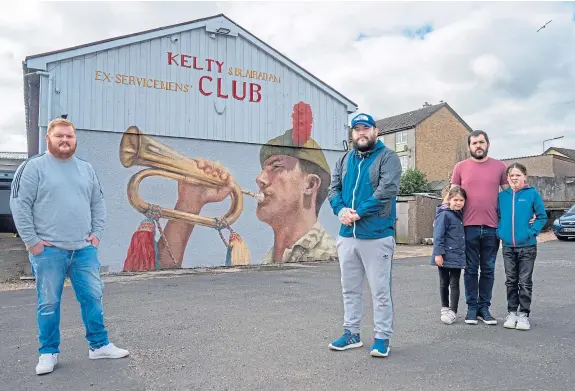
(362, 194)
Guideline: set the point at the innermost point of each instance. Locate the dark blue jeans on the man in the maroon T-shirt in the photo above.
(481, 247)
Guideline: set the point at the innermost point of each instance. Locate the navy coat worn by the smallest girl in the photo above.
(449, 237)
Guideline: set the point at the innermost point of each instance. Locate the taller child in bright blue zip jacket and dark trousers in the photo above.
(519, 241)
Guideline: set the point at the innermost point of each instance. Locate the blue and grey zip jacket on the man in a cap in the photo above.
(367, 182)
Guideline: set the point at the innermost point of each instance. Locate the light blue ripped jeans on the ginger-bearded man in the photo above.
(50, 269)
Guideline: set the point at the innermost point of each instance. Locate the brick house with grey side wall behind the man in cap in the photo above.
(431, 139)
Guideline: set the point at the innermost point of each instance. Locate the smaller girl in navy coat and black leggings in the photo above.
(449, 251)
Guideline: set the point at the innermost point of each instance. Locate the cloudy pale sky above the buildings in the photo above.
(485, 59)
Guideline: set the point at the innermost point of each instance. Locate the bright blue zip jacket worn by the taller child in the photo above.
(515, 209)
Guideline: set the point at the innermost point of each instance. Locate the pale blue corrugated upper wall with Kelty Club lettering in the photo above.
(130, 92)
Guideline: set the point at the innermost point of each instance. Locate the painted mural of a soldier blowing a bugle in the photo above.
(292, 186)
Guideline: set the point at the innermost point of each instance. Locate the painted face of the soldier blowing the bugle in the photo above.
(285, 187)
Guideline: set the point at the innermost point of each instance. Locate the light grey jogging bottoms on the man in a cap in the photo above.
(359, 258)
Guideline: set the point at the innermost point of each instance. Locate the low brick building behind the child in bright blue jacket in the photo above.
(554, 162)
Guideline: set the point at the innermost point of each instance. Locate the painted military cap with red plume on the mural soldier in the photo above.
(297, 141)
